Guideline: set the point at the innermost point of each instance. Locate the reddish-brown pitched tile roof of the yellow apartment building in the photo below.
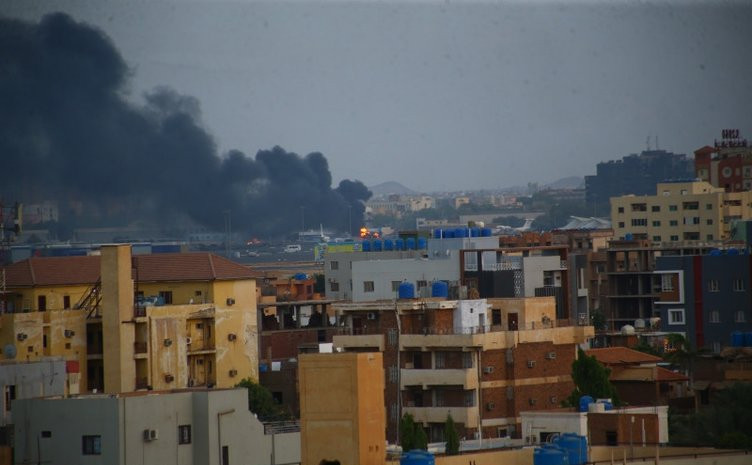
(59, 271)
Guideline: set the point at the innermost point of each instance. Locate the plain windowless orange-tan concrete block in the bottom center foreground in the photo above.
(342, 408)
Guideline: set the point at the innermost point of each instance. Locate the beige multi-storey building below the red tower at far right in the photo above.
(680, 211)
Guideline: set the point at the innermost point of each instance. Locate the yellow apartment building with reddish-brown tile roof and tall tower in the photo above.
(160, 321)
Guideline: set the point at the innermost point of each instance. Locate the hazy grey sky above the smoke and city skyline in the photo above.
(442, 95)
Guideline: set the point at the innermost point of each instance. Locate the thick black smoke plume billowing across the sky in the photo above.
(67, 133)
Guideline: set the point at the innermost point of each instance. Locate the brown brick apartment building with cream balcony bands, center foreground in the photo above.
(481, 360)
